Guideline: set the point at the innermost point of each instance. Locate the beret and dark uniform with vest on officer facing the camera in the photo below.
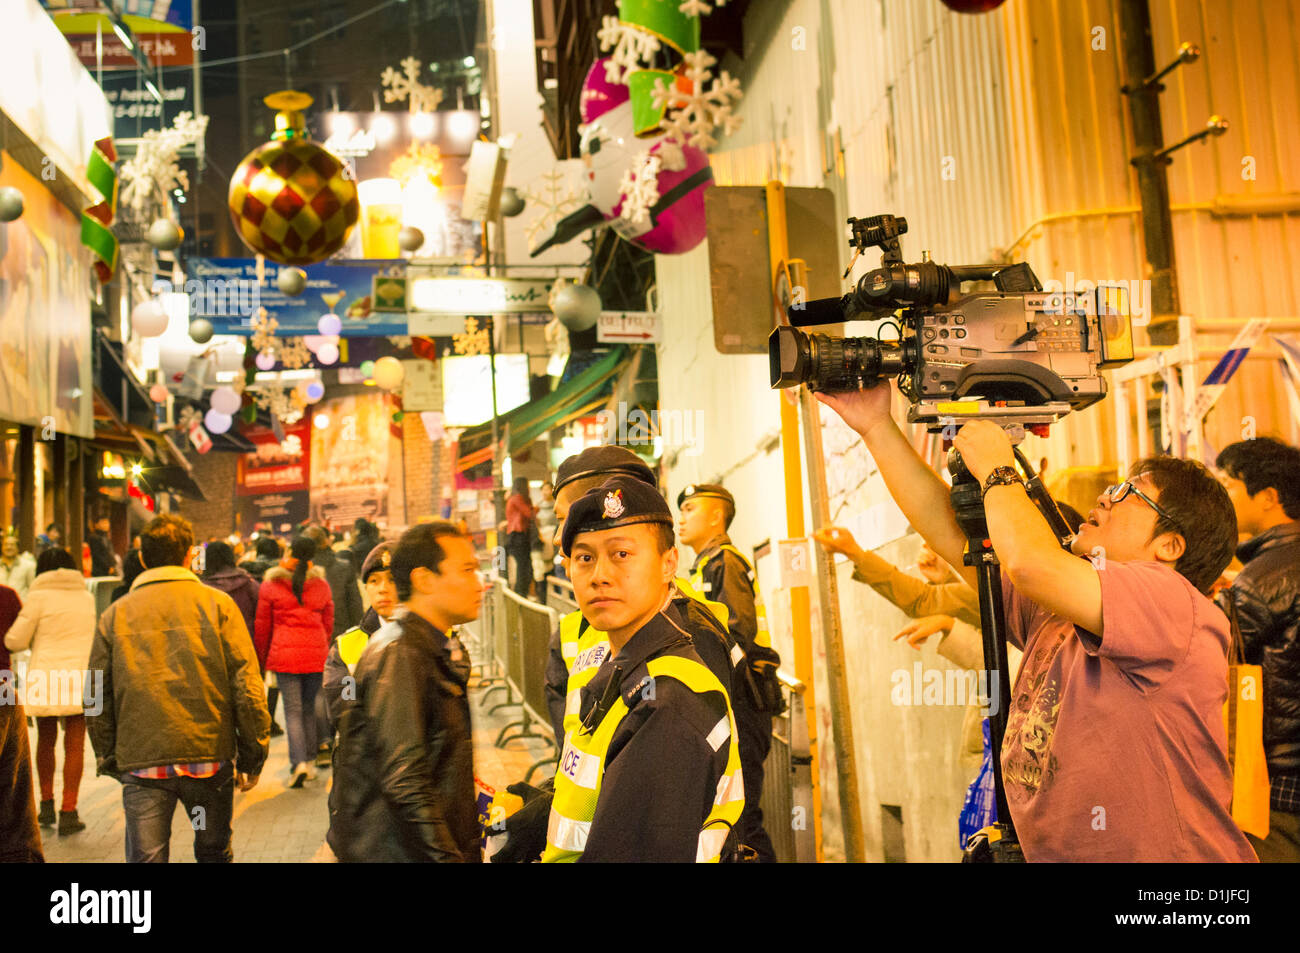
(652, 769)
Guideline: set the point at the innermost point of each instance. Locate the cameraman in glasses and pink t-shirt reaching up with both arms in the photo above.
(1115, 746)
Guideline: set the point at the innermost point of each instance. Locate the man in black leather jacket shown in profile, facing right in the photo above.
(404, 772)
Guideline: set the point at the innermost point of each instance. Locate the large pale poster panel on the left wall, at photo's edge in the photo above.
(45, 313)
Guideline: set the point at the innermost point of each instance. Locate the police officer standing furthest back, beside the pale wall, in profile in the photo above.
(722, 573)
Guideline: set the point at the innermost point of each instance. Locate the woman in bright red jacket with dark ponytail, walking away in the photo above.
(296, 618)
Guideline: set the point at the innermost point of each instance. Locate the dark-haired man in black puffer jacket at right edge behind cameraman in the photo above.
(1263, 478)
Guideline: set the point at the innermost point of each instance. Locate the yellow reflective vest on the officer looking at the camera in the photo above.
(582, 772)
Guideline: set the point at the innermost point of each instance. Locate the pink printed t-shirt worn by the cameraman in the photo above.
(1115, 747)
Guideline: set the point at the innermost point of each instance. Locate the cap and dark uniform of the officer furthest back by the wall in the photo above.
(721, 573)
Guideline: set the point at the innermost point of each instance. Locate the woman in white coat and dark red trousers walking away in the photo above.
(58, 623)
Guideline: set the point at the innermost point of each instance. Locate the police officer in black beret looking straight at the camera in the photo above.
(652, 770)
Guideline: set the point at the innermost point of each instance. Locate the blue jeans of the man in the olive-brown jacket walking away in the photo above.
(150, 805)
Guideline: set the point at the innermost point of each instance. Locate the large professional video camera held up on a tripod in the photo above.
(1015, 356)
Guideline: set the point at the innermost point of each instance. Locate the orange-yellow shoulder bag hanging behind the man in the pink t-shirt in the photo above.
(1243, 720)
